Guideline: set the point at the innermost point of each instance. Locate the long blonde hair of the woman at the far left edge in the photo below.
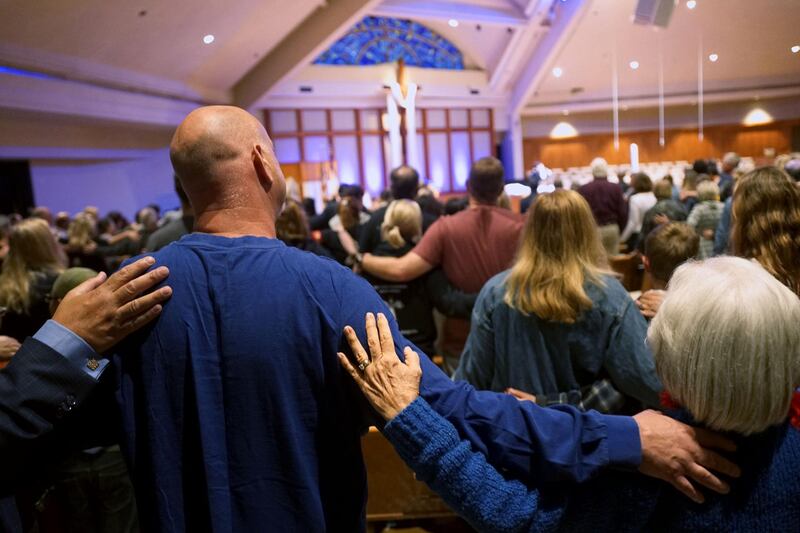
(32, 248)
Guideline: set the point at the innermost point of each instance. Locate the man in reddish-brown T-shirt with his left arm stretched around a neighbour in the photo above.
(471, 246)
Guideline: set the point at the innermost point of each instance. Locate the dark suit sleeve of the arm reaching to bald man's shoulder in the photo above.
(38, 389)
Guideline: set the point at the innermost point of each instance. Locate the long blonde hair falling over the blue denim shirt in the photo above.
(560, 250)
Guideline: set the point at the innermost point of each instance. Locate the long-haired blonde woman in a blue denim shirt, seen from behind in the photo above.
(556, 323)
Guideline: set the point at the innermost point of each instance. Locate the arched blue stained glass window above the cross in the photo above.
(378, 40)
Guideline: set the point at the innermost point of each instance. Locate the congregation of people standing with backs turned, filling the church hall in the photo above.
(234, 405)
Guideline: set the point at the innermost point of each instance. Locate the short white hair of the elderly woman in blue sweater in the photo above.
(726, 342)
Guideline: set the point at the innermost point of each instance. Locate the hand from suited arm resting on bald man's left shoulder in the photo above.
(103, 314)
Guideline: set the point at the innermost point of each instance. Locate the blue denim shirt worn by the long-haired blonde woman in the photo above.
(506, 348)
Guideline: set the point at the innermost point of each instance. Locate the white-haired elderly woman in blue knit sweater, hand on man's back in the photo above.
(727, 347)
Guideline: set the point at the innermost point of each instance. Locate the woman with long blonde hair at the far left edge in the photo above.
(34, 261)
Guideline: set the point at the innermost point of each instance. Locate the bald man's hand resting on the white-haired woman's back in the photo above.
(676, 453)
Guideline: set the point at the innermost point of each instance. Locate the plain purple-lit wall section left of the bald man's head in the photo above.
(124, 186)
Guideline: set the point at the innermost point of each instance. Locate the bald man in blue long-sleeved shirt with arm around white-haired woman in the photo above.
(237, 415)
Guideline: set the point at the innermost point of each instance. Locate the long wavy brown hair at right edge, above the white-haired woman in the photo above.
(766, 223)
